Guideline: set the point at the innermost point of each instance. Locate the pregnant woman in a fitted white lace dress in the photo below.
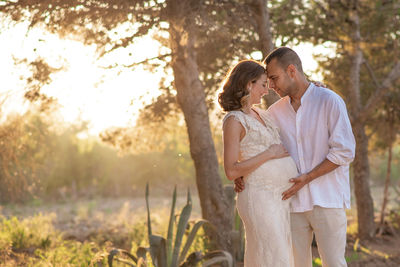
(253, 149)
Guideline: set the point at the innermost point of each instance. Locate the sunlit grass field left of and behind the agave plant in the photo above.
(79, 233)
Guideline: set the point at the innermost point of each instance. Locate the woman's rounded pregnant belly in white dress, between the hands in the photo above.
(273, 173)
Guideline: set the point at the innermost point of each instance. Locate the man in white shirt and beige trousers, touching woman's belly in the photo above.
(316, 131)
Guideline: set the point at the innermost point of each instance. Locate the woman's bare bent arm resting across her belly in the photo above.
(233, 133)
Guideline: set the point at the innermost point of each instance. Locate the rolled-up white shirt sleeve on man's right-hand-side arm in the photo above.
(341, 139)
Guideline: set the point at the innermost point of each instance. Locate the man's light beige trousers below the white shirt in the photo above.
(329, 227)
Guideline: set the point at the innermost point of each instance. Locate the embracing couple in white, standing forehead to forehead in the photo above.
(293, 160)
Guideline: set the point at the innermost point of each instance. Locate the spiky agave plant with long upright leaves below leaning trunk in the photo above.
(168, 252)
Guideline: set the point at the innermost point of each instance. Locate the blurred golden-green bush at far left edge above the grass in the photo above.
(23, 150)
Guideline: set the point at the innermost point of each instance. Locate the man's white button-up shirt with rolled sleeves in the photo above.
(319, 130)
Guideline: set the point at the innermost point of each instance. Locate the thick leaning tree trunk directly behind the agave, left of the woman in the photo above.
(191, 98)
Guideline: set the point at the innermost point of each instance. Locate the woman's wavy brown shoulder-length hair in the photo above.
(234, 93)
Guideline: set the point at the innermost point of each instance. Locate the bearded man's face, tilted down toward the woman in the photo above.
(278, 79)
